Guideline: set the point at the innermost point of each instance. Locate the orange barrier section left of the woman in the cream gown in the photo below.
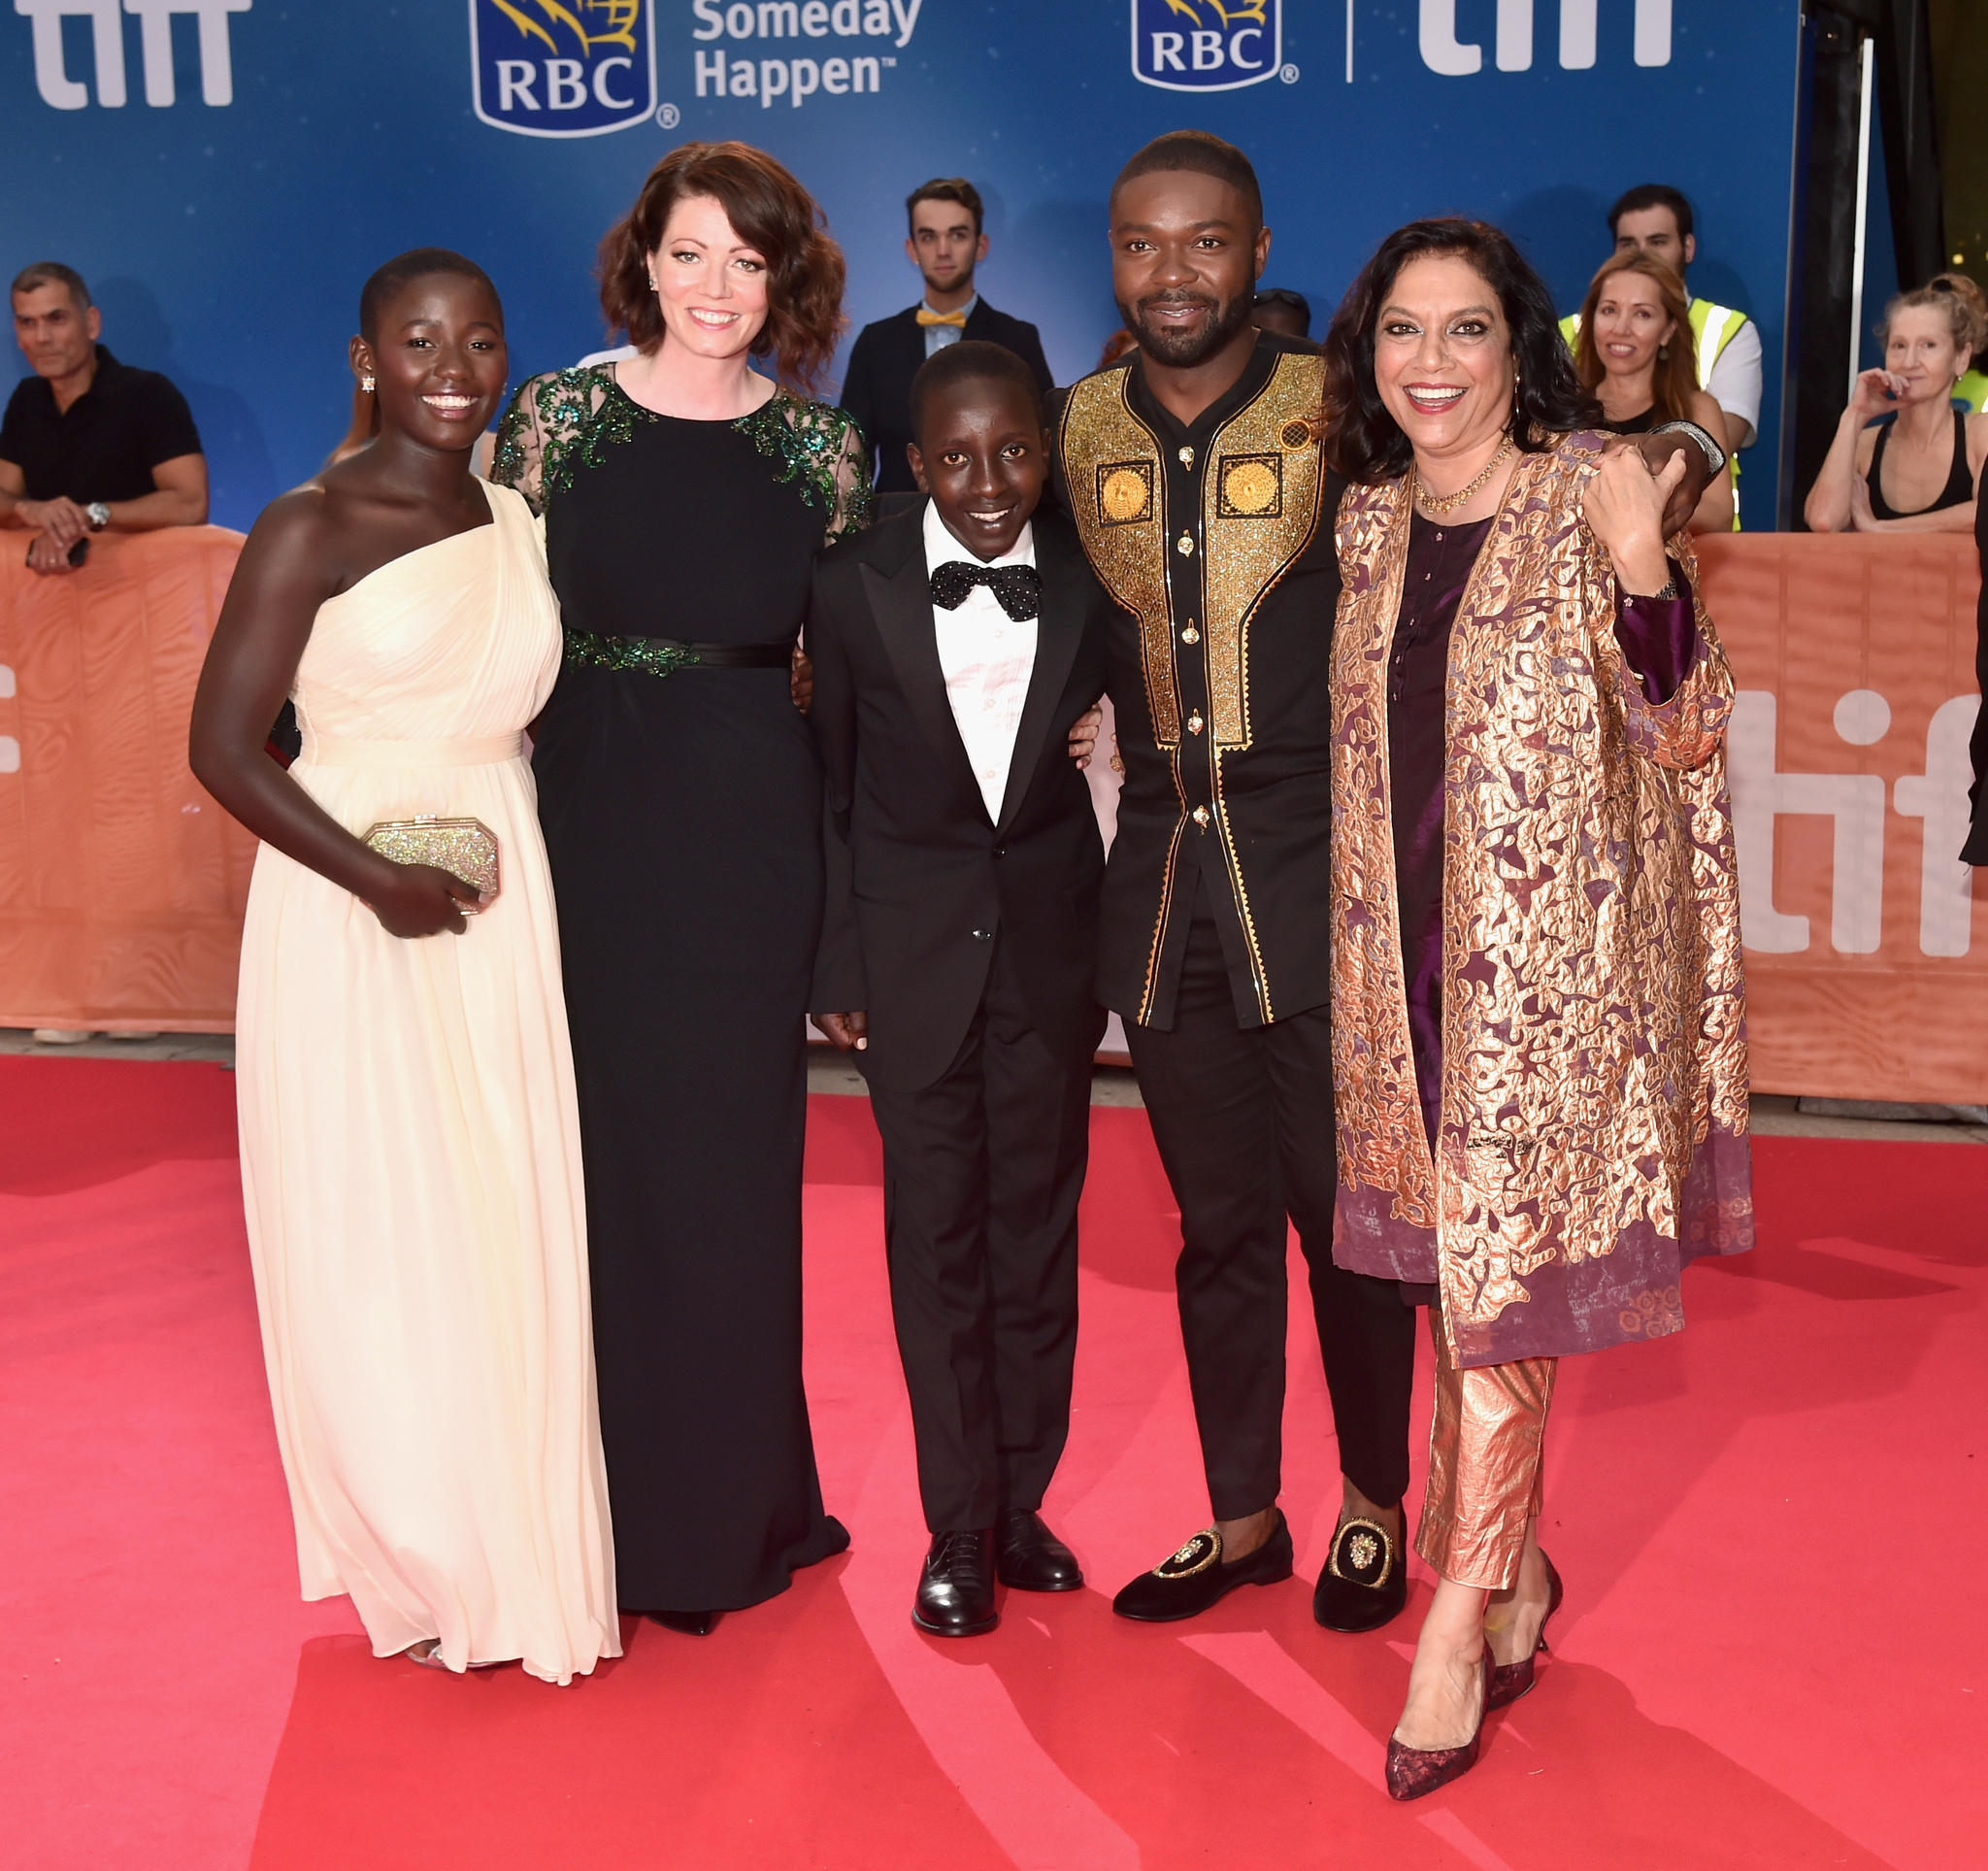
(122, 884)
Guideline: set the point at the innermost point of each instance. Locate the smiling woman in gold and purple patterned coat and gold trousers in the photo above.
(1538, 1007)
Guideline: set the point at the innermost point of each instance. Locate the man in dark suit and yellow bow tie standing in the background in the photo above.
(947, 244)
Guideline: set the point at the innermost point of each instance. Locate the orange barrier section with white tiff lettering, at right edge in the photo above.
(1866, 939)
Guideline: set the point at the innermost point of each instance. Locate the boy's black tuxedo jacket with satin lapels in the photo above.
(921, 880)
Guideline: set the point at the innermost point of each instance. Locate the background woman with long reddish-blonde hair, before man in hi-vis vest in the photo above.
(1635, 357)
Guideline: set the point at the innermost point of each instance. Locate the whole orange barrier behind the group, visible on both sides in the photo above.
(122, 884)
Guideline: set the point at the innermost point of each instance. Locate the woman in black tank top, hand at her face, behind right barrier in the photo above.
(1919, 472)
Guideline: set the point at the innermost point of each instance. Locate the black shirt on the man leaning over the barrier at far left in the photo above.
(106, 444)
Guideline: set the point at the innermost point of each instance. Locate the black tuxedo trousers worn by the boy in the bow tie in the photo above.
(981, 1182)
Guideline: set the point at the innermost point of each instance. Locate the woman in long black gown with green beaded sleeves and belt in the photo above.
(685, 498)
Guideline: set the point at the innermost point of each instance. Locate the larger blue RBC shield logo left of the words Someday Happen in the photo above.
(564, 69)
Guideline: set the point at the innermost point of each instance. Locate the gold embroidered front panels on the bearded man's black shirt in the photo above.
(1259, 514)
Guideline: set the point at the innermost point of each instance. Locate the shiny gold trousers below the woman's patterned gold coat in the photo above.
(1484, 1466)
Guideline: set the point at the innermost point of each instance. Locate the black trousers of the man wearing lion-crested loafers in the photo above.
(1245, 1130)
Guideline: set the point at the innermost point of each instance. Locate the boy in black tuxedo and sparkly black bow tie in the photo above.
(955, 647)
